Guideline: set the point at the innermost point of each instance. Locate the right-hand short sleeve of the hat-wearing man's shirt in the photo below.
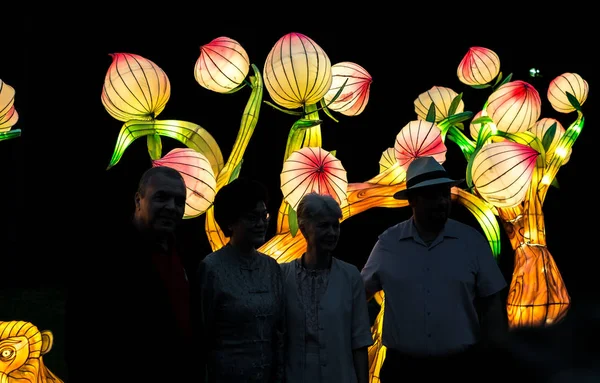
(489, 276)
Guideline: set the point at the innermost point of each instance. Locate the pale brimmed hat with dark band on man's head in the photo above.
(425, 171)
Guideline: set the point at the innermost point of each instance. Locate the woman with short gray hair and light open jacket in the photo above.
(327, 321)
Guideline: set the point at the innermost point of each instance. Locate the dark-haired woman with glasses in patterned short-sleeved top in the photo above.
(240, 296)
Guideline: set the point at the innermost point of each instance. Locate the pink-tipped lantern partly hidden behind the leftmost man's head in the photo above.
(198, 175)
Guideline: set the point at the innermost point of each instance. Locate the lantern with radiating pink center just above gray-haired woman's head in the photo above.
(313, 169)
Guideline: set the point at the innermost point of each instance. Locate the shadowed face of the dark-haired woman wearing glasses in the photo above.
(251, 228)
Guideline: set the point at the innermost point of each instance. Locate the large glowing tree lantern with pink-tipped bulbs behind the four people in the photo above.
(512, 155)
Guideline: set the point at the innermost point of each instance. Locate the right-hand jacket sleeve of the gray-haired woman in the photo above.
(361, 330)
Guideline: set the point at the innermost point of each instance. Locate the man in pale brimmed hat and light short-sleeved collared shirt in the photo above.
(441, 283)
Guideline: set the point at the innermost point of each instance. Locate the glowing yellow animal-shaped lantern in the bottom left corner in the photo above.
(22, 347)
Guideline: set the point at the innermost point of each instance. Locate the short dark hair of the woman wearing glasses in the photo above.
(236, 199)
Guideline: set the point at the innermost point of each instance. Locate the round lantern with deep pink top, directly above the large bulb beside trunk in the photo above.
(514, 106)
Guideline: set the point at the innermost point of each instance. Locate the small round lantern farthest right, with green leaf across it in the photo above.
(567, 82)
